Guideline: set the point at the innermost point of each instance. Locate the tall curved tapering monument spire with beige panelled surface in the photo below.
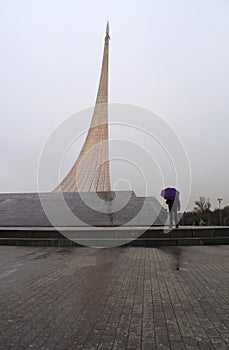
(91, 171)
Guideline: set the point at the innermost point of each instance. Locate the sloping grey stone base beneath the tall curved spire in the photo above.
(79, 209)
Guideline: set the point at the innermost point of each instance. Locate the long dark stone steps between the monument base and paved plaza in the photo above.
(116, 236)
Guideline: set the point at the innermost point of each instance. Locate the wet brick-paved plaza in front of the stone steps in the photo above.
(119, 298)
